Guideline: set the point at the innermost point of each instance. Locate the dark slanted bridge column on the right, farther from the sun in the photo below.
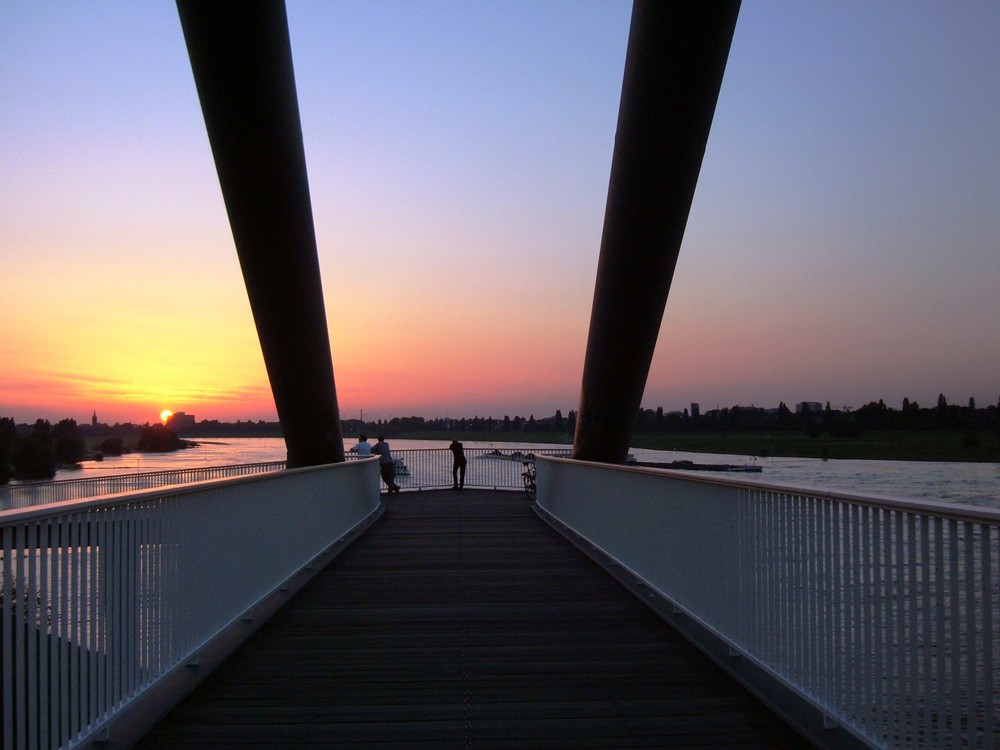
(676, 57)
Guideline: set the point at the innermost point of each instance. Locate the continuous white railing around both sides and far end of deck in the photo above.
(868, 608)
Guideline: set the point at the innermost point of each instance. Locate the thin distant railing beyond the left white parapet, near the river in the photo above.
(27, 494)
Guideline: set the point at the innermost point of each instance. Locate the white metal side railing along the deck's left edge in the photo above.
(102, 598)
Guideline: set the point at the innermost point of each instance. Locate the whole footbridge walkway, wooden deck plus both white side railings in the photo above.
(476, 618)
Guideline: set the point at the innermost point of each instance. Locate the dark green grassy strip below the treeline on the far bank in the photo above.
(925, 445)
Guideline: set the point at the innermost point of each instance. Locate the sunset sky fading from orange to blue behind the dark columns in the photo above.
(842, 245)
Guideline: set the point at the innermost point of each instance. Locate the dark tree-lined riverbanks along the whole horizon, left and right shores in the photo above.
(944, 432)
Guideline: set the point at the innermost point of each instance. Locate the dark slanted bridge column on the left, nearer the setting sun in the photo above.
(242, 62)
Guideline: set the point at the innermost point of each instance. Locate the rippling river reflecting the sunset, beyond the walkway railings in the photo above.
(967, 483)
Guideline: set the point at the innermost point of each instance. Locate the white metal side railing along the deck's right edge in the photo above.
(882, 613)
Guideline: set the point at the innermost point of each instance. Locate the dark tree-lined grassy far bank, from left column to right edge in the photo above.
(945, 432)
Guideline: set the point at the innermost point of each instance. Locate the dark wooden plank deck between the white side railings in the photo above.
(462, 620)
